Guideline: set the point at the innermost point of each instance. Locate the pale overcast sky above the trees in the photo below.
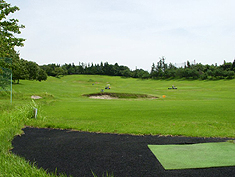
(134, 33)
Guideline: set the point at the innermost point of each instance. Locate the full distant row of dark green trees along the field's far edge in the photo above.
(160, 70)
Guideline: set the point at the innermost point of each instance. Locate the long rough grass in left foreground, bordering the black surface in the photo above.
(11, 123)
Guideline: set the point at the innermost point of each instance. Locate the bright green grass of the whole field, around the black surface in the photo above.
(196, 108)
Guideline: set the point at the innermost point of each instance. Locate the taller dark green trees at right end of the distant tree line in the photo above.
(193, 71)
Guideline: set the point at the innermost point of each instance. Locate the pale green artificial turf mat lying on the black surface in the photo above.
(202, 155)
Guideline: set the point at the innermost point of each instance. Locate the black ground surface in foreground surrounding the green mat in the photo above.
(78, 153)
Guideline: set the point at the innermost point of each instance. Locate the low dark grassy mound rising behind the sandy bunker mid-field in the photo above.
(121, 95)
